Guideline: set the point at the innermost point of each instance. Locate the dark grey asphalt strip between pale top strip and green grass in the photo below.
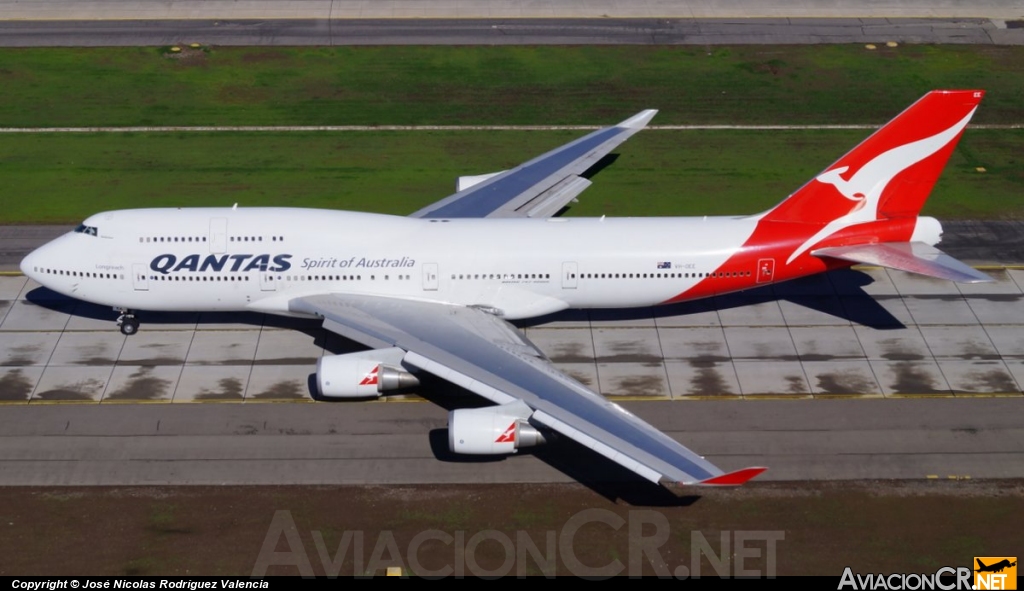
(489, 31)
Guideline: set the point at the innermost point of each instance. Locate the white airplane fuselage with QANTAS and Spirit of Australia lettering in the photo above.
(261, 259)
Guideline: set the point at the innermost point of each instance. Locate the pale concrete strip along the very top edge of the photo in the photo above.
(198, 10)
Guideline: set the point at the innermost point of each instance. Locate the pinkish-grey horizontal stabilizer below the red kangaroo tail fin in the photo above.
(910, 257)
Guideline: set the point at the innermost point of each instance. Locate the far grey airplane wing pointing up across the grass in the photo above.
(539, 188)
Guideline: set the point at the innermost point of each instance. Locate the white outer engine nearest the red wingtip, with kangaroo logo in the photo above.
(493, 431)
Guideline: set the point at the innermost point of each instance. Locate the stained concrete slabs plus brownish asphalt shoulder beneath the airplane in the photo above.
(860, 374)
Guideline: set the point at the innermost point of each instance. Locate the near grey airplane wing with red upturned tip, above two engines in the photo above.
(485, 355)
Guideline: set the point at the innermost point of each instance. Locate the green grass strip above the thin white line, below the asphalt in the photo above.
(508, 86)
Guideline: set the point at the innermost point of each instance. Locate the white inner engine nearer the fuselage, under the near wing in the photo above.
(363, 375)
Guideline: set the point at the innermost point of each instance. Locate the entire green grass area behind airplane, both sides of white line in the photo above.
(65, 178)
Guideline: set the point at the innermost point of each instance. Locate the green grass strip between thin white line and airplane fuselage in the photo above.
(62, 179)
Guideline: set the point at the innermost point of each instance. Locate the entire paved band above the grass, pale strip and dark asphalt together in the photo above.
(105, 23)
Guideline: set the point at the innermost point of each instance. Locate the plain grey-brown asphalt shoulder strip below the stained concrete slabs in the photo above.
(394, 443)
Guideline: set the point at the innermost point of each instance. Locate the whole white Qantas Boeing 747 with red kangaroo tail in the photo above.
(434, 292)
